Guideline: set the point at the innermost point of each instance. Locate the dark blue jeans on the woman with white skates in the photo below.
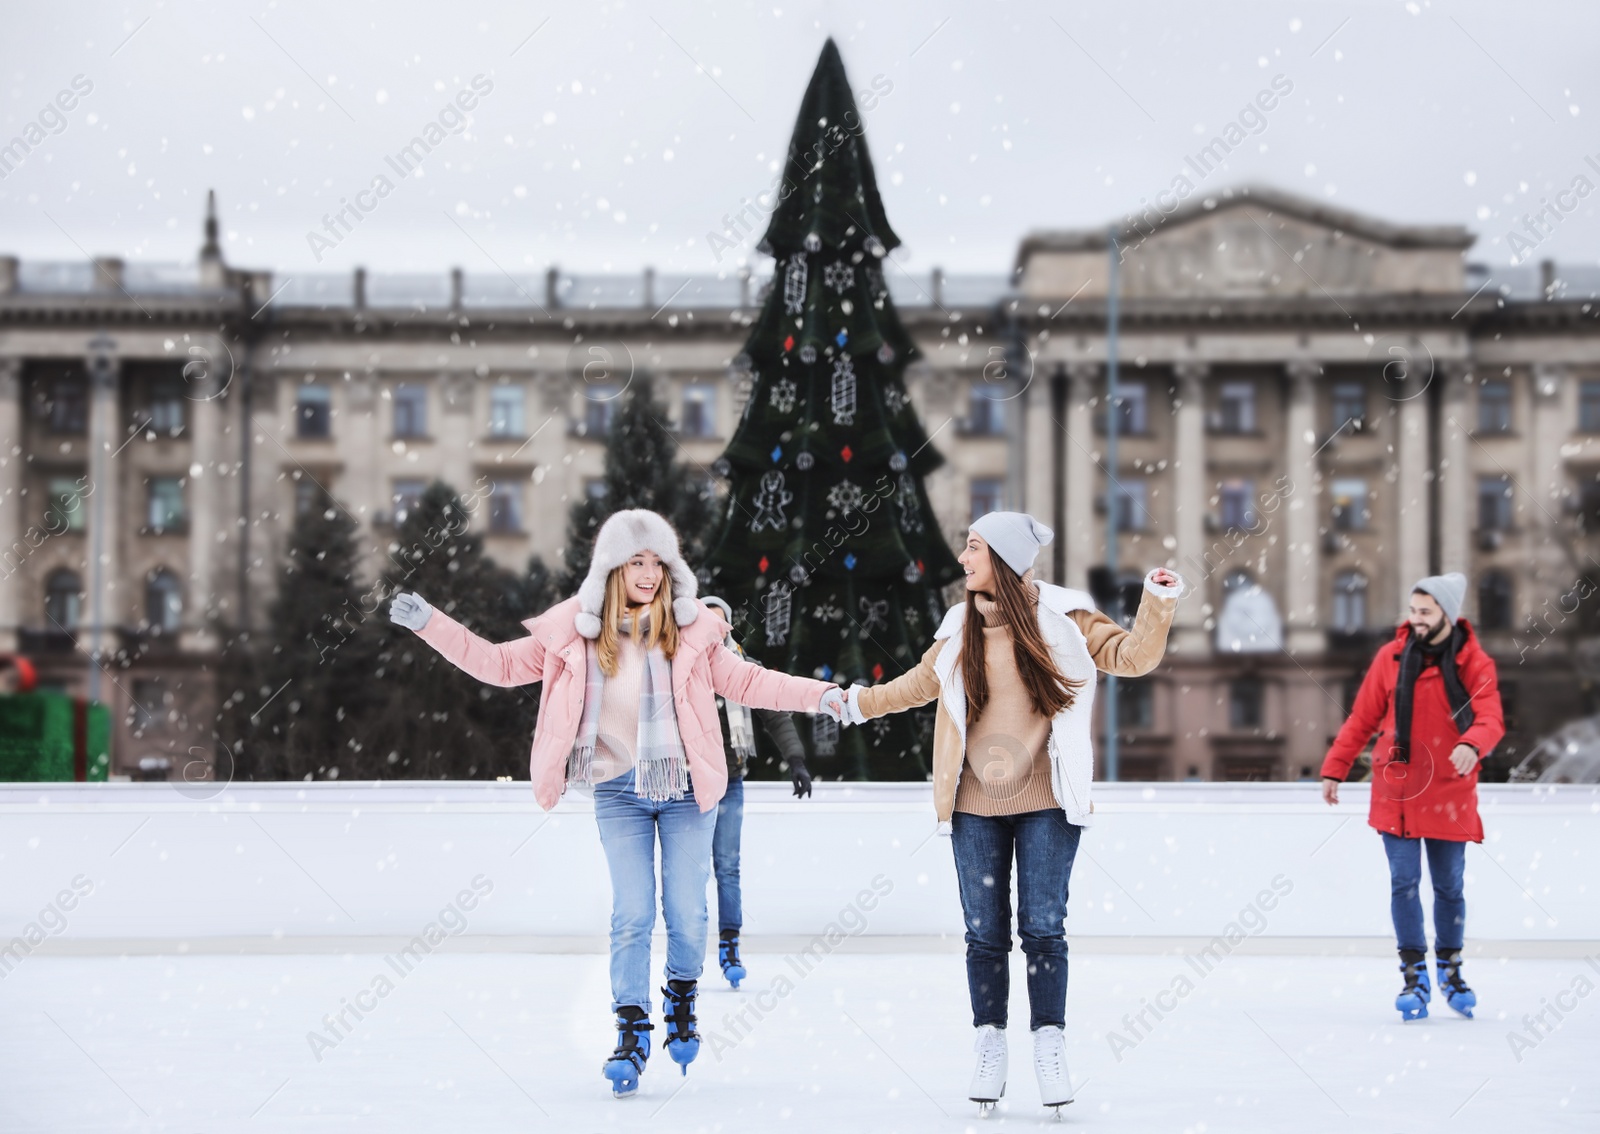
(1046, 845)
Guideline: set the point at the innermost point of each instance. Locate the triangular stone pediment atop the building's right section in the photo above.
(1247, 242)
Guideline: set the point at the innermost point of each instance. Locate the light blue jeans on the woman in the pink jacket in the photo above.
(628, 833)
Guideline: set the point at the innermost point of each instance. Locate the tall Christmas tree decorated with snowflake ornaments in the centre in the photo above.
(830, 548)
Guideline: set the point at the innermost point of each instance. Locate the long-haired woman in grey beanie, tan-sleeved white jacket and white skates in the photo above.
(1014, 673)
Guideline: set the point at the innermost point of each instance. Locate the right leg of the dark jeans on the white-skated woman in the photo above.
(1046, 850)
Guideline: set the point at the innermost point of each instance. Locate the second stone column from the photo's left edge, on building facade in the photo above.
(106, 588)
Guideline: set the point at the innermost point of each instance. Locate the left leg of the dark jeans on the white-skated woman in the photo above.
(983, 869)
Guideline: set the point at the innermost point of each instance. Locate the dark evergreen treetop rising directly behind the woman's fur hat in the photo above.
(642, 471)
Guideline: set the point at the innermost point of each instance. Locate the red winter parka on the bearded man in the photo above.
(1426, 797)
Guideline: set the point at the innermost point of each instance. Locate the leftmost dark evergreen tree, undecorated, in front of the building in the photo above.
(303, 693)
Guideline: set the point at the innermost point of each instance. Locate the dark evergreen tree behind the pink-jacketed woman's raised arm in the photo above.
(438, 722)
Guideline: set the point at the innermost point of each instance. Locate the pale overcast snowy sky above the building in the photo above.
(604, 146)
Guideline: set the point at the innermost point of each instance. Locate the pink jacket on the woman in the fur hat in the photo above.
(556, 653)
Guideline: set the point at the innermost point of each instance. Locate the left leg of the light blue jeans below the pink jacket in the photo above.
(628, 833)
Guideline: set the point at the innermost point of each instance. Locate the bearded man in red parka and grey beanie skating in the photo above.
(1433, 700)
